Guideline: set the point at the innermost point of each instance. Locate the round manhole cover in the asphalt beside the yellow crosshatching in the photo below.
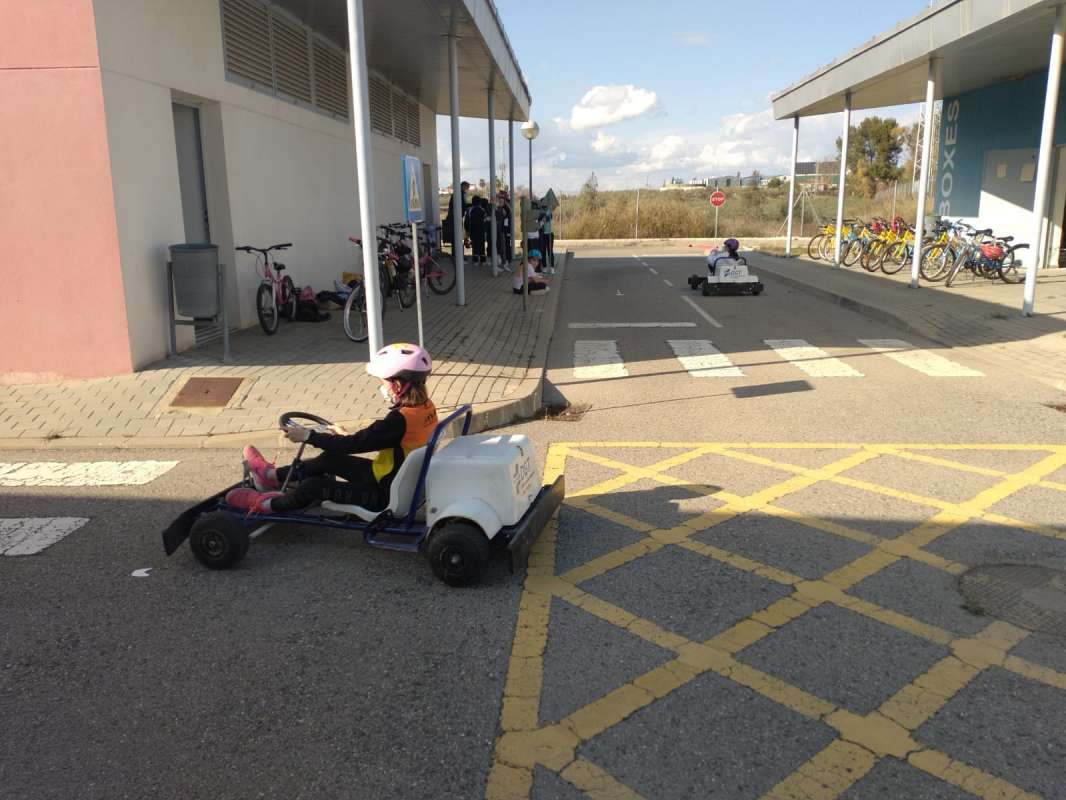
(1032, 598)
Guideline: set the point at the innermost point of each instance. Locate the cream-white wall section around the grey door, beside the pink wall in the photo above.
(285, 173)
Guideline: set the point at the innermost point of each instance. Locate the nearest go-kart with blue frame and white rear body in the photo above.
(454, 506)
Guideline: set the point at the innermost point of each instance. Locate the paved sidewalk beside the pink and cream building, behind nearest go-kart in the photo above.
(490, 354)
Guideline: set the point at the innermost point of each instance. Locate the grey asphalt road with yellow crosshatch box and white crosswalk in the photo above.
(752, 591)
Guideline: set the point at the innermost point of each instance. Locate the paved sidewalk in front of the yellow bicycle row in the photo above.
(972, 314)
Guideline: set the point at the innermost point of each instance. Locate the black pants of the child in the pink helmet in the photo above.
(318, 482)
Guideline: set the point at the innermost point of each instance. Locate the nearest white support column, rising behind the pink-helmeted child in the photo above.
(365, 179)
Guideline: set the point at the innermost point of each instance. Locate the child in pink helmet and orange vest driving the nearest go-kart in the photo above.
(412, 419)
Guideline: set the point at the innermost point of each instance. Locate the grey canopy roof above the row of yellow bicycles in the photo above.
(980, 43)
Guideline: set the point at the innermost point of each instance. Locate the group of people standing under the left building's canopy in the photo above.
(478, 214)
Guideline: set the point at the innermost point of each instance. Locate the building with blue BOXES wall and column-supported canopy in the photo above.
(996, 66)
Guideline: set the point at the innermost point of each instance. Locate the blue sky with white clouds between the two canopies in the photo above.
(640, 91)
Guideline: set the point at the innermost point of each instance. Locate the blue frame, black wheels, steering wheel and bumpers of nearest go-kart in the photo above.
(222, 534)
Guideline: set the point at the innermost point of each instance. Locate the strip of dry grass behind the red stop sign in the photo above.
(748, 213)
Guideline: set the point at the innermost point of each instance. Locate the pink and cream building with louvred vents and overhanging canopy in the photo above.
(132, 125)
